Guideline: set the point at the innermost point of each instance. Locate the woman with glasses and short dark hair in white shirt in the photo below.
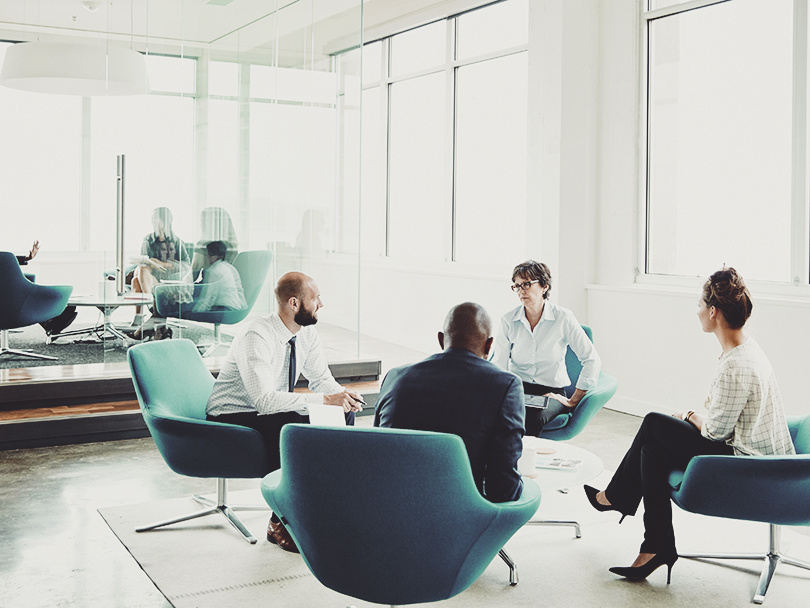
(532, 343)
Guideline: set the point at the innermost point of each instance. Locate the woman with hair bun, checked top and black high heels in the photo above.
(744, 417)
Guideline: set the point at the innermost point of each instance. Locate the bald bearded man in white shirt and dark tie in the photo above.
(254, 387)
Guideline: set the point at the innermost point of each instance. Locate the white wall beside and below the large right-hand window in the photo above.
(648, 336)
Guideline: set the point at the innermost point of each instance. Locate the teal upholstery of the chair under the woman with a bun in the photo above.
(770, 489)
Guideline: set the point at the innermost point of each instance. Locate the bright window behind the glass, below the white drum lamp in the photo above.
(58, 160)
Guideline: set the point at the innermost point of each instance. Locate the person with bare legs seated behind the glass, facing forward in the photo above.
(152, 269)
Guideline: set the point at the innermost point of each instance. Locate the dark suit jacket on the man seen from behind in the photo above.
(457, 392)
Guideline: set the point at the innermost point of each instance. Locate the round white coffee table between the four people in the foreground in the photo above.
(555, 479)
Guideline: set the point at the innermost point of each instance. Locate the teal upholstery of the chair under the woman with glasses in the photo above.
(566, 426)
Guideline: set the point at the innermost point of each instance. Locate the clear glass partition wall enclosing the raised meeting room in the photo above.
(246, 150)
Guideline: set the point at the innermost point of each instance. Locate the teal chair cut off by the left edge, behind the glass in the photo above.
(23, 302)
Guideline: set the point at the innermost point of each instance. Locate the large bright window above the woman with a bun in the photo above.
(720, 139)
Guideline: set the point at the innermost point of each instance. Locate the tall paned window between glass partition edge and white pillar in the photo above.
(444, 139)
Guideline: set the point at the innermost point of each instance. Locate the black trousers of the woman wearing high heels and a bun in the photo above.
(663, 444)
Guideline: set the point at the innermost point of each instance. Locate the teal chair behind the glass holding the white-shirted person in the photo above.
(253, 268)
